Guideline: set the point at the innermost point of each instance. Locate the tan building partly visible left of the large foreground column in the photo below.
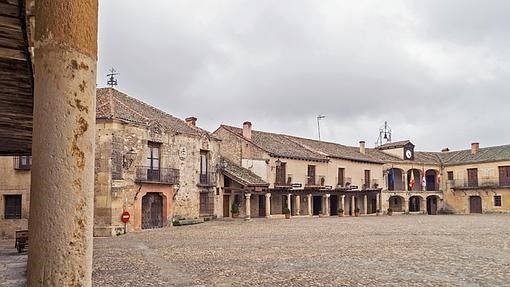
(14, 194)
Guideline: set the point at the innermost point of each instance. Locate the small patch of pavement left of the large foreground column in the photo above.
(12, 265)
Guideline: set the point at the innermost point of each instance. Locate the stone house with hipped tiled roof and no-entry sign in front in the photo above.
(151, 164)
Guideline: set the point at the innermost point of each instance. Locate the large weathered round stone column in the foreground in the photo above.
(62, 178)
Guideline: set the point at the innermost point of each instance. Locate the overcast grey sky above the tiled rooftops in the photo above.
(437, 71)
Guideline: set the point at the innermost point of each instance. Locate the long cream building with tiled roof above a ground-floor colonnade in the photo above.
(306, 176)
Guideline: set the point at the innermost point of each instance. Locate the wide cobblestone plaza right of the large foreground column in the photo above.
(366, 251)
